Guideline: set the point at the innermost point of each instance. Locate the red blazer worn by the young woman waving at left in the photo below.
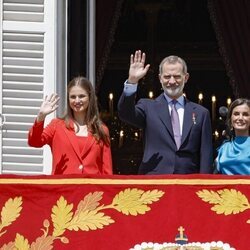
(95, 158)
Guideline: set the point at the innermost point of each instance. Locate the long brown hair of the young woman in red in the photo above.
(92, 118)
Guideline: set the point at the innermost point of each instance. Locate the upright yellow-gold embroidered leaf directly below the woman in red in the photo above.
(61, 216)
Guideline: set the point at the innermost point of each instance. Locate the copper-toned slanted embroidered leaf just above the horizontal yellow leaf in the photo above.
(90, 202)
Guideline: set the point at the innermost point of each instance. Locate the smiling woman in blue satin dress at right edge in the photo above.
(234, 154)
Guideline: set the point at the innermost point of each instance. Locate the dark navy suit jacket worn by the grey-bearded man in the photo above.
(160, 152)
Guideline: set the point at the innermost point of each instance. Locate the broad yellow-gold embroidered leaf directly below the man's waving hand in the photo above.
(128, 202)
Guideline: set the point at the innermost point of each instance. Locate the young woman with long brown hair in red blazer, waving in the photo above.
(79, 141)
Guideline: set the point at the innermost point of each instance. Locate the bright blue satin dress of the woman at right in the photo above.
(234, 156)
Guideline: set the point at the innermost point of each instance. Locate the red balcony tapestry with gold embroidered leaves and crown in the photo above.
(125, 212)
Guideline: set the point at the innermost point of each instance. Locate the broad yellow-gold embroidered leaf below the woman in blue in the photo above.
(230, 202)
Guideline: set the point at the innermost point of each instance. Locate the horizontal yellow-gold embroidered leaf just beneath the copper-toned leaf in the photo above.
(89, 220)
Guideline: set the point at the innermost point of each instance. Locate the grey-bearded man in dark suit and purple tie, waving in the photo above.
(163, 153)
